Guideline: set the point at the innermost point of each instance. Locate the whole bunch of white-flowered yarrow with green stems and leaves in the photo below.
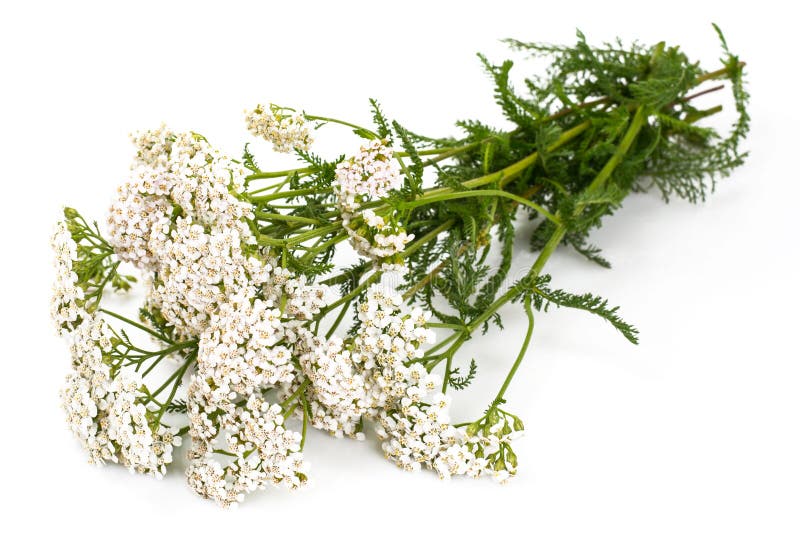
(244, 343)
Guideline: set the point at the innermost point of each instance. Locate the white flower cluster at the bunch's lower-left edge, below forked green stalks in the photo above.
(105, 408)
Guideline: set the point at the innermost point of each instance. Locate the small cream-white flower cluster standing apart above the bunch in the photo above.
(285, 129)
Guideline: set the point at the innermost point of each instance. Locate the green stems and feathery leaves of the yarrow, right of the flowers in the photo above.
(603, 123)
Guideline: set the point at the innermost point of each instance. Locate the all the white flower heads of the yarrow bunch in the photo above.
(182, 219)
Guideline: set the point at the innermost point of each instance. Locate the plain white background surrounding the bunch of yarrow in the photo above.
(695, 430)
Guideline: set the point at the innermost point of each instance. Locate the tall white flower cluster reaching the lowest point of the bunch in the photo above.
(246, 350)
